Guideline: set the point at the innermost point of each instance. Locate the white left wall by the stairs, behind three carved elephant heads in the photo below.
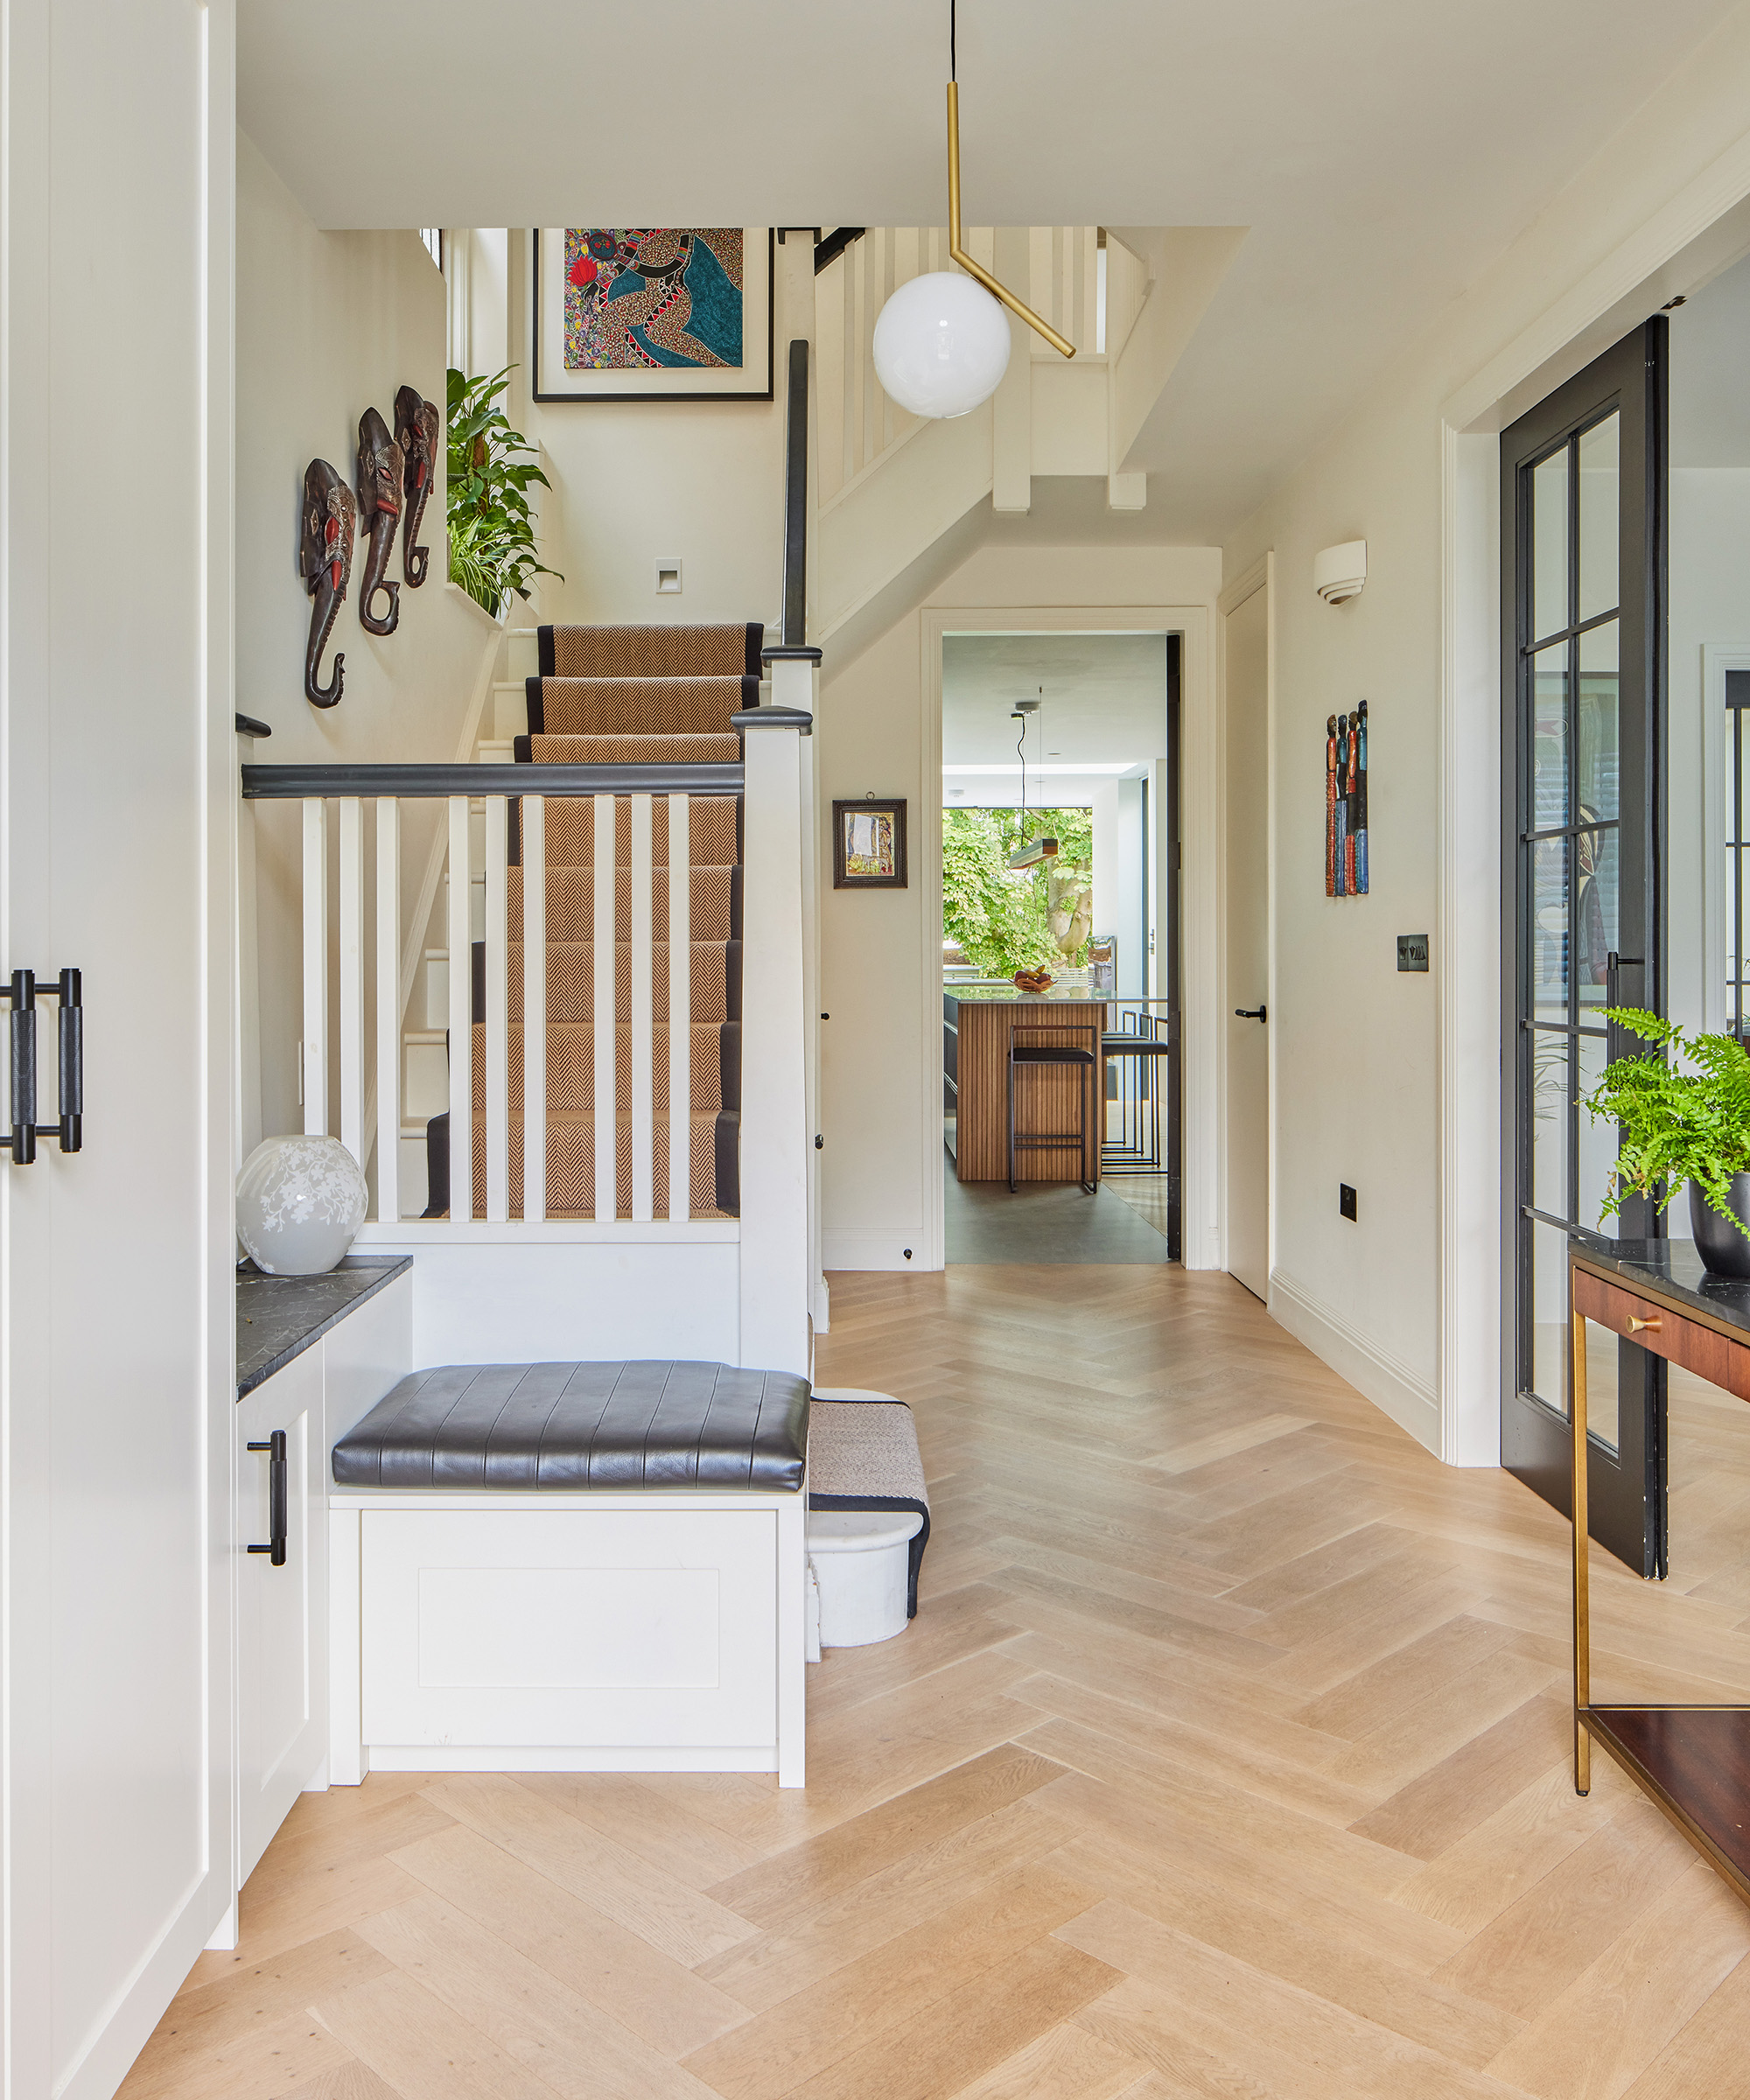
(331, 324)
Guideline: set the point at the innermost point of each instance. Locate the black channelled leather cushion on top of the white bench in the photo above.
(583, 1425)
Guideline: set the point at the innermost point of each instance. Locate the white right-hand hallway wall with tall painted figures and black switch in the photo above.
(1402, 1303)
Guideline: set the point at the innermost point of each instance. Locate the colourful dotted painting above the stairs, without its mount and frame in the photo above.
(652, 299)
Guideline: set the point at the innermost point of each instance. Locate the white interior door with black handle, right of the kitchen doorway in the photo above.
(1247, 765)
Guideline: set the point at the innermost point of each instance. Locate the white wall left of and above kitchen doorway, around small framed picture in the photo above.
(881, 1131)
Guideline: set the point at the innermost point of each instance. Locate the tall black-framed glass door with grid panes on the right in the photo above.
(1583, 902)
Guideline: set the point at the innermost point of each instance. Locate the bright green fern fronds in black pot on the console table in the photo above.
(1678, 1127)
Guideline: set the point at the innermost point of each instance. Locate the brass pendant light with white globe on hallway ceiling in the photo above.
(942, 341)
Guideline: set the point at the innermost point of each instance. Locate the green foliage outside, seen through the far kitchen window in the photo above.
(1007, 919)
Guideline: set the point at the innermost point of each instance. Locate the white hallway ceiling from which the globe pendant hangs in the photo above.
(1381, 154)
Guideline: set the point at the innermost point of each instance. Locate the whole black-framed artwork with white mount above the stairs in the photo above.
(652, 314)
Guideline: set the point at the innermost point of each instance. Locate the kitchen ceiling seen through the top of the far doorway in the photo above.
(1104, 700)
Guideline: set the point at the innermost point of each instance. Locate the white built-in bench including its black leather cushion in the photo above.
(572, 1568)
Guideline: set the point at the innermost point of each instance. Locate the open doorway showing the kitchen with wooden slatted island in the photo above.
(1060, 948)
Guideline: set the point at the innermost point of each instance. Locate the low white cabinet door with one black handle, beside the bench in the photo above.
(283, 1603)
